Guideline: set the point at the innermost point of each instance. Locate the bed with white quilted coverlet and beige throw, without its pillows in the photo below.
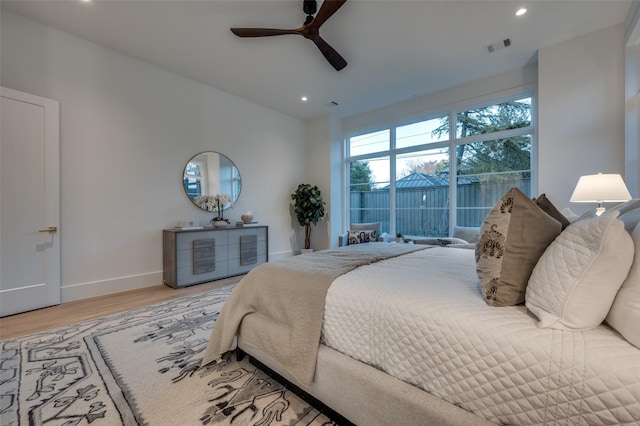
(405, 336)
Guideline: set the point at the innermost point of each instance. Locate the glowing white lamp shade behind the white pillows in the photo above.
(600, 188)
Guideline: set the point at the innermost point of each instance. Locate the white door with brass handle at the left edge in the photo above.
(29, 202)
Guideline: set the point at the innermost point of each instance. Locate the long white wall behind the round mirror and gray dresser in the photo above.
(127, 131)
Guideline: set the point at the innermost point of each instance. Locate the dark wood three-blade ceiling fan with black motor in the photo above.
(310, 29)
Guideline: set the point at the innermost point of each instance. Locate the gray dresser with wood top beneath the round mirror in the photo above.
(196, 256)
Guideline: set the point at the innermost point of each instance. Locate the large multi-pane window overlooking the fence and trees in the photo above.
(402, 175)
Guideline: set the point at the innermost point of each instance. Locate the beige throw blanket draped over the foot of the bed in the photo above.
(286, 299)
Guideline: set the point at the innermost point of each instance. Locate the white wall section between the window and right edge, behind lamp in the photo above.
(581, 112)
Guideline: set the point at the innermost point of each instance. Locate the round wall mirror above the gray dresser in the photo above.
(208, 174)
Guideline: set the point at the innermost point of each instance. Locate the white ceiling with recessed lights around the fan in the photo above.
(395, 49)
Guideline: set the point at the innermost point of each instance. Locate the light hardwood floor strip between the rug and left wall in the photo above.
(80, 310)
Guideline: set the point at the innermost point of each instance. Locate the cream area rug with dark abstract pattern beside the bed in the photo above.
(140, 367)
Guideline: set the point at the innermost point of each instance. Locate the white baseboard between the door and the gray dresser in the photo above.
(86, 290)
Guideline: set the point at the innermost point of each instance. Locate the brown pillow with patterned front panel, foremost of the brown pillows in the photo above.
(512, 238)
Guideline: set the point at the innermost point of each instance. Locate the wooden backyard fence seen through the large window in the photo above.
(425, 211)
